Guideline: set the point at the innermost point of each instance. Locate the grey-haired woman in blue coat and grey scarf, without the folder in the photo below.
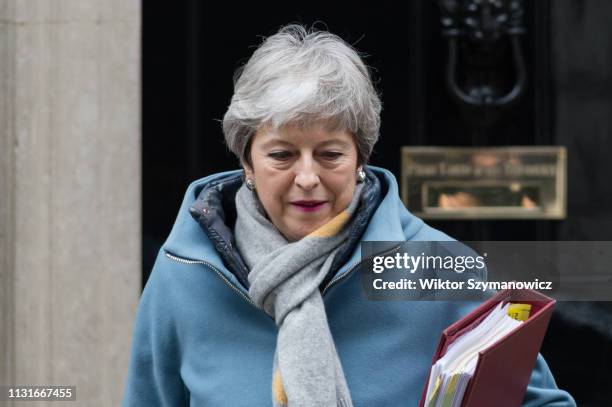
(253, 300)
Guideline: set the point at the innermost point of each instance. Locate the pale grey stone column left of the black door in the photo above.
(69, 194)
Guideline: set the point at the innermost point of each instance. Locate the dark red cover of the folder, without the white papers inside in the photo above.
(503, 370)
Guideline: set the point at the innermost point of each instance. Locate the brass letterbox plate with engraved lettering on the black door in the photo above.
(485, 182)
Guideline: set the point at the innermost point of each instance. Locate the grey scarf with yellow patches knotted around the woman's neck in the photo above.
(285, 280)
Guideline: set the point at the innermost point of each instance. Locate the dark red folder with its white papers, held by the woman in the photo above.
(490, 353)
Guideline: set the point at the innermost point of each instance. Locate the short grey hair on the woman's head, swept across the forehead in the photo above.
(303, 76)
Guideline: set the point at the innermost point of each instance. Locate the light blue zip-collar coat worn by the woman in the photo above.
(199, 340)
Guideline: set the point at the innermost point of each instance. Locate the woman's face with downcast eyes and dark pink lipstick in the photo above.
(303, 177)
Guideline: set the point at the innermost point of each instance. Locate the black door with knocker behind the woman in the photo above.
(191, 52)
